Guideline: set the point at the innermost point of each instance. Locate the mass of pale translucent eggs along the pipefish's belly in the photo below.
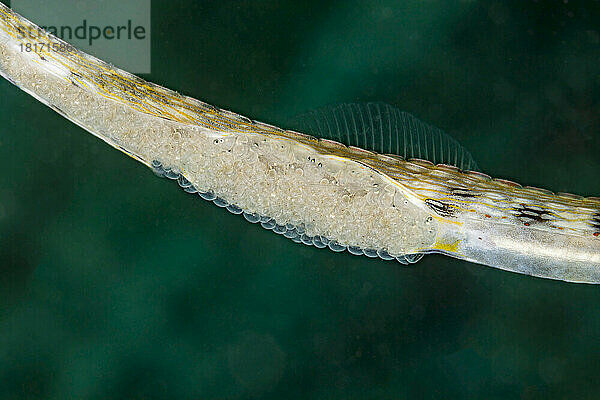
(269, 178)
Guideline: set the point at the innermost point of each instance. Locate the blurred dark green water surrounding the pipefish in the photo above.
(115, 284)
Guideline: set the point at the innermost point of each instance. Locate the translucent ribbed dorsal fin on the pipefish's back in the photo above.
(384, 129)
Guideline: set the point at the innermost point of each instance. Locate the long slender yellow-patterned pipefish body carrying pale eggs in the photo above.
(314, 191)
